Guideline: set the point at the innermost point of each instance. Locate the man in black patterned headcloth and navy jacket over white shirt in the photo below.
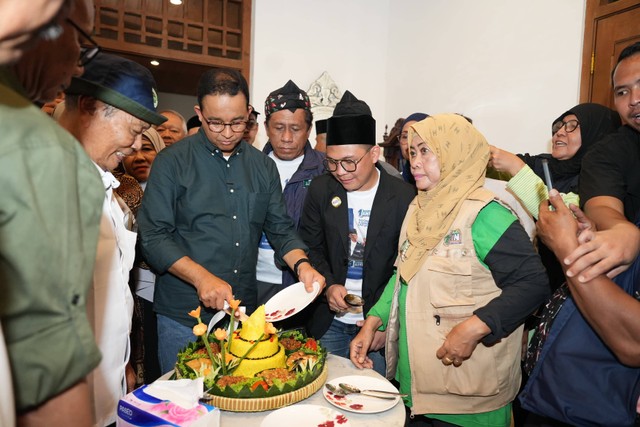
(288, 120)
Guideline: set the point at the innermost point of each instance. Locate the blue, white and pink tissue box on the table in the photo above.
(140, 409)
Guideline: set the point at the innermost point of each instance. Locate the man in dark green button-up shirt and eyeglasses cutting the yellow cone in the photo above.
(207, 202)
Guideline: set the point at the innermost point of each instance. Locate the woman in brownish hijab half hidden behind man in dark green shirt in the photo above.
(144, 337)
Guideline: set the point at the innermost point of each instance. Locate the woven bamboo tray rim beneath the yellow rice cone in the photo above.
(269, 403)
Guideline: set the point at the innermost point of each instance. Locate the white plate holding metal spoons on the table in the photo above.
(358, 402)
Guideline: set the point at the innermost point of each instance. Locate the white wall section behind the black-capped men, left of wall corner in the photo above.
(299, 39)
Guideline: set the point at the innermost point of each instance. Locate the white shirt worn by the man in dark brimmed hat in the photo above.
(110, 303)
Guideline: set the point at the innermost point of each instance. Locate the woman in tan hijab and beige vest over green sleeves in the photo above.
(467, 279)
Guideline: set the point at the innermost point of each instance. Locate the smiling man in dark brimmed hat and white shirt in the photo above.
(107, 110)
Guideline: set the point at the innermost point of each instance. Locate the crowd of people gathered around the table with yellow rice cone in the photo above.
(117, 219)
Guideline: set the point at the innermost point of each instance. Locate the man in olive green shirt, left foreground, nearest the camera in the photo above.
(51, 203)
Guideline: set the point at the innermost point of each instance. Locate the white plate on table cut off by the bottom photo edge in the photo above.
(305, 415)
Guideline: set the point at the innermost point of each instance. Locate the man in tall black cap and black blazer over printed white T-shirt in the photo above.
(357, 201)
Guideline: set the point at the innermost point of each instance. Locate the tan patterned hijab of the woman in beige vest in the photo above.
(463, 154)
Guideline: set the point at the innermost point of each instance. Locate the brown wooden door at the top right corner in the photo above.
(611, 25)
